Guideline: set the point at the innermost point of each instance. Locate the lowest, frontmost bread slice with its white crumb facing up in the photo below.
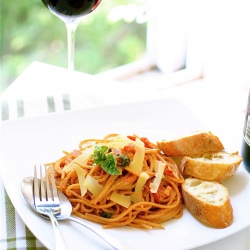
(208, 201)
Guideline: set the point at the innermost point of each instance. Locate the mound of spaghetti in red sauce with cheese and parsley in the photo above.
(141, 190)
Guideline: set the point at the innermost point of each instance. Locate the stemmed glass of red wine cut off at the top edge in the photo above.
(71, 12)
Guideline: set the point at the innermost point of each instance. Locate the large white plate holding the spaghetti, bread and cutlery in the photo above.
(42, 139)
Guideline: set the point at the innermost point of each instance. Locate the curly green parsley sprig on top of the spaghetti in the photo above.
(107, 161)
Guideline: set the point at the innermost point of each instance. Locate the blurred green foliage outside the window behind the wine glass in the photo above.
(113, 35)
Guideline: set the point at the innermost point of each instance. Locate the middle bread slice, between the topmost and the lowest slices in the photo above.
(211, 166)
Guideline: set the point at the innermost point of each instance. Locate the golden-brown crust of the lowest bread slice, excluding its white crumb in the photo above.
(212, 214)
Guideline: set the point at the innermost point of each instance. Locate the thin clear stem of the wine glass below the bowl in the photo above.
(71, 31)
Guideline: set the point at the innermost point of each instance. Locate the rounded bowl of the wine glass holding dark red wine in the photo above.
(71, 9)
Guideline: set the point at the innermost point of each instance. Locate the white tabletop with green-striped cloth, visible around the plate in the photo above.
(43, 88)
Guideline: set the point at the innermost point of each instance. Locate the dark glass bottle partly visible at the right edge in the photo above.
(246, 140)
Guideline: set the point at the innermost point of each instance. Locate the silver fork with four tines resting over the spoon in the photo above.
(47, 202)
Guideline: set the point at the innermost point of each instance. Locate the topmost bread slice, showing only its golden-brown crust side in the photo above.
(193, 144)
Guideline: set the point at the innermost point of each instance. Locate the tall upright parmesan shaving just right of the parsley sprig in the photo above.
(137, 163)
